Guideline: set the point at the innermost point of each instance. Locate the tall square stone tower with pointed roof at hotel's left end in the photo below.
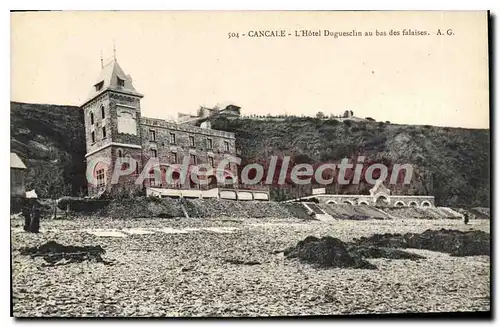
(112, 114)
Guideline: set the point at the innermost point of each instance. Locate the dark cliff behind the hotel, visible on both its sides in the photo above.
(453, 164)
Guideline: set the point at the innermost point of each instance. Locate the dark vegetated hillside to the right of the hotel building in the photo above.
(450, 163)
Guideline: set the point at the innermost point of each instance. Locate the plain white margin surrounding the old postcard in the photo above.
(196, 5)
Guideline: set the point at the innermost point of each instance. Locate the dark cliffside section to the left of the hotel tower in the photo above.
(51, 141)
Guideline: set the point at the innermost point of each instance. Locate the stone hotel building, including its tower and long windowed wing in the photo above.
(115, 128)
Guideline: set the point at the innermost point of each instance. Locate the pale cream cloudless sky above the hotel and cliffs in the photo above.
(181, 60)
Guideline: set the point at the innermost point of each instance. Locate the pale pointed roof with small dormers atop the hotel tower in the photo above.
(109, 78)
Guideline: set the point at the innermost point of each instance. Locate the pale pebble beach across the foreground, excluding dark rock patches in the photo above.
(230, 267)
